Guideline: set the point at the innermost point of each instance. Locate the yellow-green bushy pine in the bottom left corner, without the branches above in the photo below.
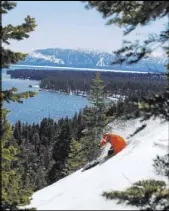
(14, 193)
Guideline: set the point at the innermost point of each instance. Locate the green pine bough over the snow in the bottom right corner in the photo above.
(146, 195)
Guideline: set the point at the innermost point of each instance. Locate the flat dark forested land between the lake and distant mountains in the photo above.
(128, 84)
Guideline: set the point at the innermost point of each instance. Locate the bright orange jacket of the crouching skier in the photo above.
(117, 142)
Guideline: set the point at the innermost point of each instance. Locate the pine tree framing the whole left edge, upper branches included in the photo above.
(14, 193)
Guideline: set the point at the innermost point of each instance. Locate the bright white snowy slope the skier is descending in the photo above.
(82, 190)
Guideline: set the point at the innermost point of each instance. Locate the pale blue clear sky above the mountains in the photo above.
(67, 24)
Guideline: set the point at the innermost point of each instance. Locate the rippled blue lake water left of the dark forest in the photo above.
(45, 104)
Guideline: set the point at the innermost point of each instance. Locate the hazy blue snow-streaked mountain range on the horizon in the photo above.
(82, 58)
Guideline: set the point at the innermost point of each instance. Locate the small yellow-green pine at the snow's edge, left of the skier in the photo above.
(75, 158)
